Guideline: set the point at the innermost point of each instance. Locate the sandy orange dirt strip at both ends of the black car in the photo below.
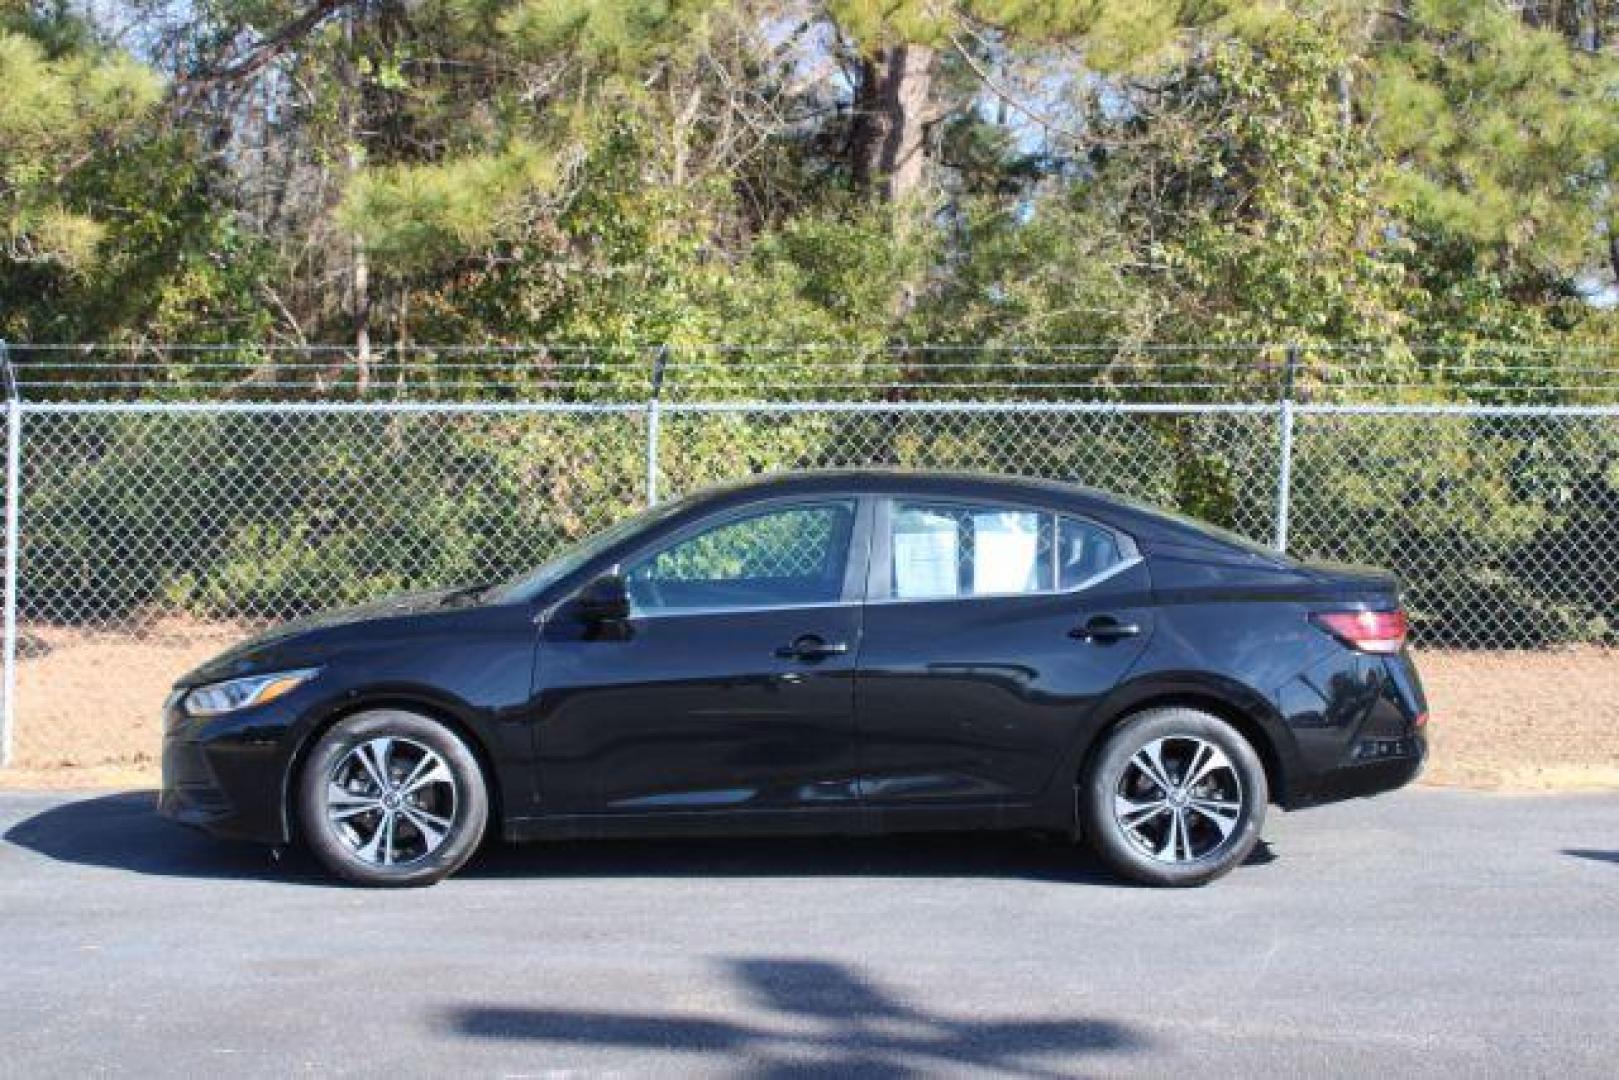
(88, 710)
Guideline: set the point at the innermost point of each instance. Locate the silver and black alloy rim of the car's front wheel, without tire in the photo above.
(391, 801)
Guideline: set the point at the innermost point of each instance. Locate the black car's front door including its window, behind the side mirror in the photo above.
(731, 686)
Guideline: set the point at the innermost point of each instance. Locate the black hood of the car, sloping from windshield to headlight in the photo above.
(295, 644)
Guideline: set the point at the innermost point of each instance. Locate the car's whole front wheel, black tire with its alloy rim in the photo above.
(362, 848)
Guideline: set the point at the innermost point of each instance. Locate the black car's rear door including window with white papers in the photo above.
(990, 634)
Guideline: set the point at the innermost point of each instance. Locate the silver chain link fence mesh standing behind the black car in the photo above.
(145, 535)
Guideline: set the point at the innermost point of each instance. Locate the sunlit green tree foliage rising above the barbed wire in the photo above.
(618, 172)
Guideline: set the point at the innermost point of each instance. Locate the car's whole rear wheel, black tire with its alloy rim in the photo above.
(1197, 836)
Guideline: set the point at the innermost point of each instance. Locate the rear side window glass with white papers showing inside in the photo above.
(943, 550)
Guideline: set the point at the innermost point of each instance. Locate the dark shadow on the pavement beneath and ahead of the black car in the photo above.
(125, 833)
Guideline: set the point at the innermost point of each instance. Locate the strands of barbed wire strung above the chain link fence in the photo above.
(1105, 372)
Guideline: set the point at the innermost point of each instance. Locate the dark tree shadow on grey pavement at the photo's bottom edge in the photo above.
(818, 1019)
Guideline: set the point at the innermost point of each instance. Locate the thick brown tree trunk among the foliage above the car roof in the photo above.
(891, 106)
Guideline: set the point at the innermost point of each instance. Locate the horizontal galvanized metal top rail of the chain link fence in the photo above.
(1157, 409)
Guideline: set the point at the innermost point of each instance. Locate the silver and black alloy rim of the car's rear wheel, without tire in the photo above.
(1179, 799)
